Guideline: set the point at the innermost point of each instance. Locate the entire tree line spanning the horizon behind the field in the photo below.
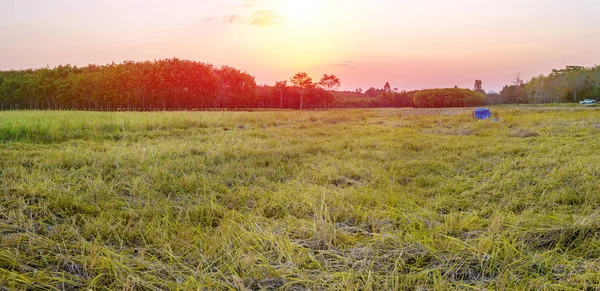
(174, 84)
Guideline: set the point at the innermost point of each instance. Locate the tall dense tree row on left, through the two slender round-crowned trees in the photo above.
(170, 84)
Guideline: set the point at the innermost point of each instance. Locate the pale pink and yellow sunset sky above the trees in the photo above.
(411, 44)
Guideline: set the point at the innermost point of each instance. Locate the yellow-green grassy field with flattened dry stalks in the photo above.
(395, 199)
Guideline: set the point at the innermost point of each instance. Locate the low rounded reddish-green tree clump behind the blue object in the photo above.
(451, 97)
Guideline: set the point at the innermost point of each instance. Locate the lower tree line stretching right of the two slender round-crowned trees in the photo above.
(568, 85)
